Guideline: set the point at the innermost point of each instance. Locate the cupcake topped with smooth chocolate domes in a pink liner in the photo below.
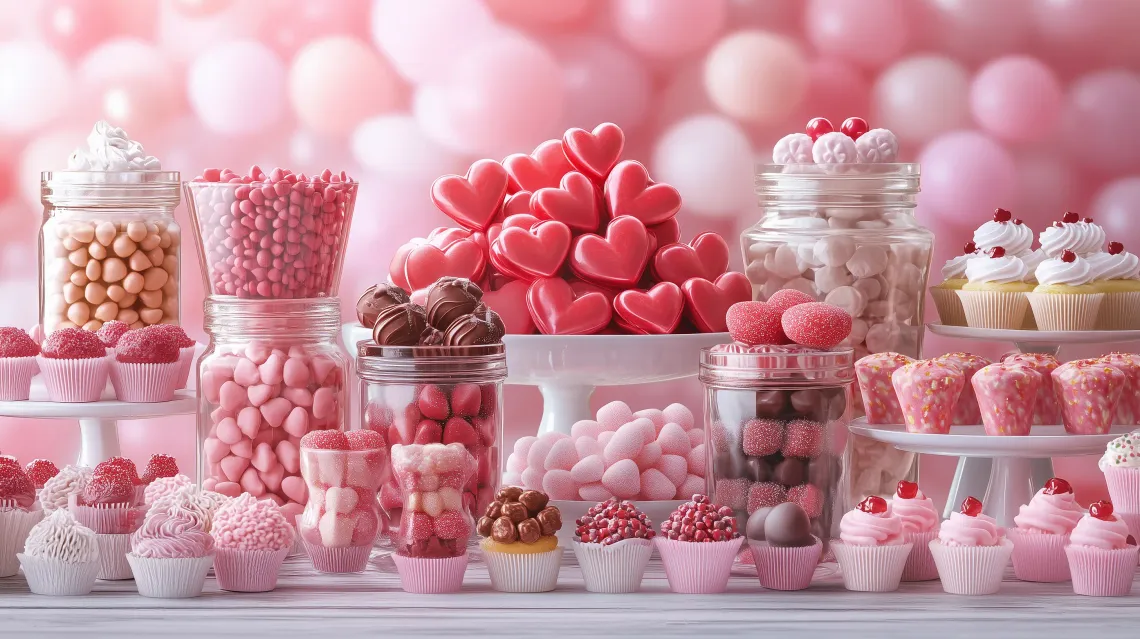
(784, 548)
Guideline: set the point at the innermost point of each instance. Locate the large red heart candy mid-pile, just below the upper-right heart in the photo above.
(617, 260)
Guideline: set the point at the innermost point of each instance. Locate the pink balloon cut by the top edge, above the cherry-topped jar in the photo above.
(869, 32)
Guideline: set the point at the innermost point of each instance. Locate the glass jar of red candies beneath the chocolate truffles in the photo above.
(437, 395)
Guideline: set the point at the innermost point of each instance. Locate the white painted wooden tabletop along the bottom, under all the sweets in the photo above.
(313, 605)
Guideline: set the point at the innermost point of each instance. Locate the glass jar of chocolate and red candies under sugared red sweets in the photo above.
(776, 424)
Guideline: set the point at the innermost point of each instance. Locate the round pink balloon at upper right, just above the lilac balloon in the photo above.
(1016, 99)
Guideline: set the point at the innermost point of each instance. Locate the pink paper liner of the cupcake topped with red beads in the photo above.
(698, 568)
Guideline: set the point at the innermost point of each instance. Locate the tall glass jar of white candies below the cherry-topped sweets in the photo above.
(846, 235)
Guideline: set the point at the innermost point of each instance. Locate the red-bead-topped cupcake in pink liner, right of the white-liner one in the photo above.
(698, 558)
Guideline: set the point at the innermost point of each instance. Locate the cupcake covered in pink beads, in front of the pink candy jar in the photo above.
(251, 542)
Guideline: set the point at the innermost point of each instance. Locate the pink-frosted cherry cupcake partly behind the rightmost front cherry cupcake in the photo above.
(1041, 532)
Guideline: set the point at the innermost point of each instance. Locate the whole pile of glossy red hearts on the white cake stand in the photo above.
(573, 241)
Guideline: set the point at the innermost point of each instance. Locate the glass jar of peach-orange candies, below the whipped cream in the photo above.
(109, 249)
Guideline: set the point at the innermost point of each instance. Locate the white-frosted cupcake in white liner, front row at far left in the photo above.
(61, 556)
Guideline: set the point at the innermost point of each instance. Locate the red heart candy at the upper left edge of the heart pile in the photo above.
(474, 201)
